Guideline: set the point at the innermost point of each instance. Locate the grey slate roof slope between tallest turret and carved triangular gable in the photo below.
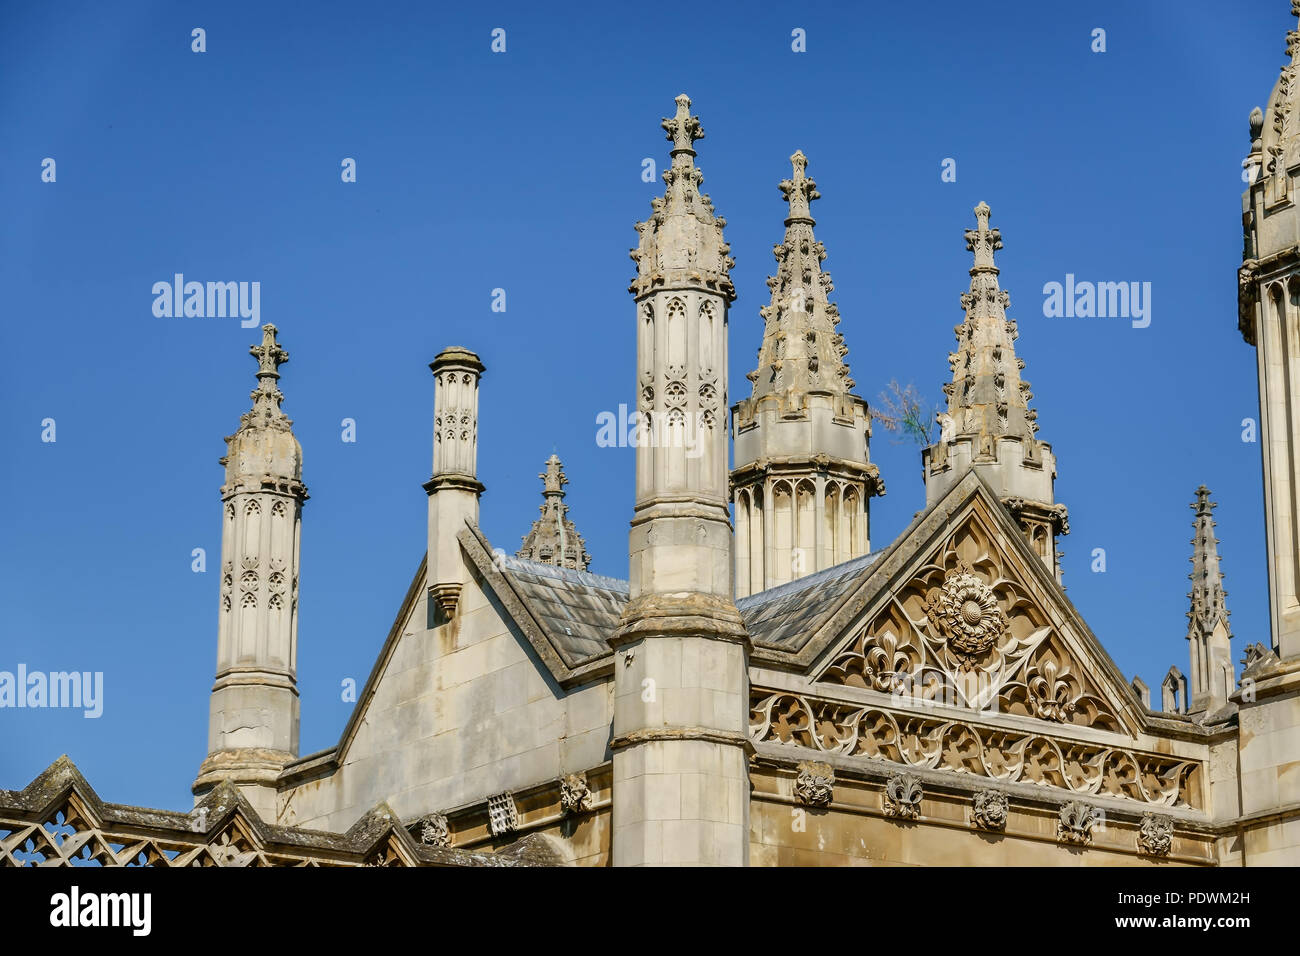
(787, 616)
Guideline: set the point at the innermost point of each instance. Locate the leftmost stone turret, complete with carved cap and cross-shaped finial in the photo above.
(254, 716)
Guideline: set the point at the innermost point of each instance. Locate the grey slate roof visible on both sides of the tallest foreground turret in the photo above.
(582, 611)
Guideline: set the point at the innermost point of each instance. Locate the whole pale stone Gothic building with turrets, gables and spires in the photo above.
(764, 689)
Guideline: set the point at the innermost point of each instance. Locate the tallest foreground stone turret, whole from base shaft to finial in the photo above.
(682, 682)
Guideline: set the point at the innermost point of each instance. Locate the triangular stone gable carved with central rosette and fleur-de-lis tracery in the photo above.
(964, 613)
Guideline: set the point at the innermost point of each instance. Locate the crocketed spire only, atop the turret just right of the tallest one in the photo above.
(801, 352)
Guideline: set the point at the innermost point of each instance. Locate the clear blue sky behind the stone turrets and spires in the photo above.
(523, 171)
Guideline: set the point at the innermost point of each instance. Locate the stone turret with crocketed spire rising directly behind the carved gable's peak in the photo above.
(990, 425)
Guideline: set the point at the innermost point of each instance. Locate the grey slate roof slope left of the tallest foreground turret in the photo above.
(579, 611)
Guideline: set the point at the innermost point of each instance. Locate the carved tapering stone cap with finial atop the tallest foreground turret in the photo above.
(683, 240)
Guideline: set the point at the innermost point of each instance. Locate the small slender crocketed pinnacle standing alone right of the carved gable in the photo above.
(1208, 630)
